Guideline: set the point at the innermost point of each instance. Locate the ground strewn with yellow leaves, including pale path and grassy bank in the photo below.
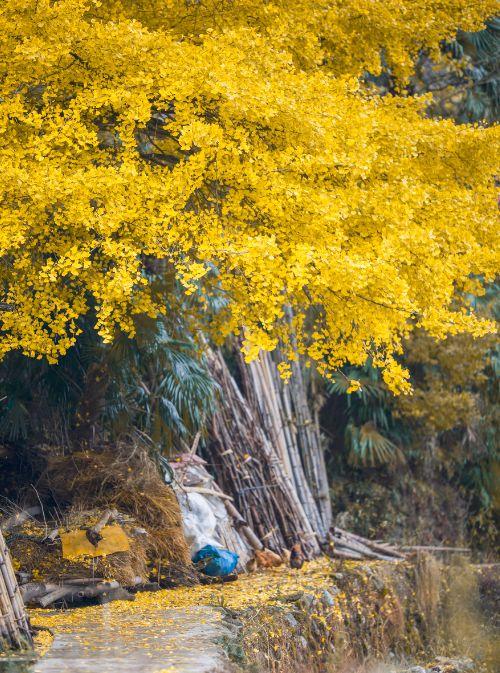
(318, 619)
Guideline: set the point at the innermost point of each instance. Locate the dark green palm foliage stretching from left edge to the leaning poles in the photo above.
(154, 388)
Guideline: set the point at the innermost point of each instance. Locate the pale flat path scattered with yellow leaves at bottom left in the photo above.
(163, 641)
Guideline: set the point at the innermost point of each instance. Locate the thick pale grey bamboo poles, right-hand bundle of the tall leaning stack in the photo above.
(285, 414)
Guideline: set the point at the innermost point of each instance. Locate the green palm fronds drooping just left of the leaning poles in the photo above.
(159, 386)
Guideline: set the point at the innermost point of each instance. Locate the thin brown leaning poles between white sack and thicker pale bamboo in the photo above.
(248, 465)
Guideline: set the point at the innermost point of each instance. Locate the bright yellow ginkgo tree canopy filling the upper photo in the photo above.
(233, 142)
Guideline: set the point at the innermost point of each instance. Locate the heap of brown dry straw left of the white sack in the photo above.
(129, 483)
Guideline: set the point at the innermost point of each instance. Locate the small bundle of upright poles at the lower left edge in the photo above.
(15, 631)
